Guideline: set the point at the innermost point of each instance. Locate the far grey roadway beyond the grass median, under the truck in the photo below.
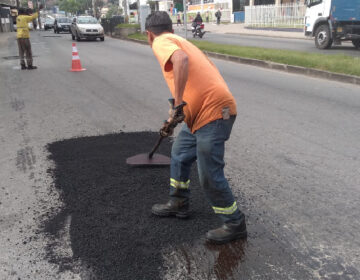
(303, 45)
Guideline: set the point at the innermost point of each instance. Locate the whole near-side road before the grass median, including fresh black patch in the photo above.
(293, 162)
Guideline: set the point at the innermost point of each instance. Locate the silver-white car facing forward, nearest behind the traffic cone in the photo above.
(86, 27)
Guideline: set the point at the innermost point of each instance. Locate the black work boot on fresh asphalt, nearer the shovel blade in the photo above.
(178, 208)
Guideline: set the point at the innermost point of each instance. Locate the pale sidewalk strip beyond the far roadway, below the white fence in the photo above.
(239, 28)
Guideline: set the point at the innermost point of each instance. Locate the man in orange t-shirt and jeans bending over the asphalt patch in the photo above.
(202, 99)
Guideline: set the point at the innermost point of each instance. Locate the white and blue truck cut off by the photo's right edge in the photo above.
(333, 21)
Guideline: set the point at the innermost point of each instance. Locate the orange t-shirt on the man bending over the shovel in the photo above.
(206, 92)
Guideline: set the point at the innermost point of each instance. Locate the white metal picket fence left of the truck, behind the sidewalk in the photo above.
(287, 16)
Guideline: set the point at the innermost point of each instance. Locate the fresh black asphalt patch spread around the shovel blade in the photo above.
(112, 230)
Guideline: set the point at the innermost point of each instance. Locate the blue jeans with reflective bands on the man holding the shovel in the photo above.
(207, 146)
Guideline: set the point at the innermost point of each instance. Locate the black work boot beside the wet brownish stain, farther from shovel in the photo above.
(228, 232)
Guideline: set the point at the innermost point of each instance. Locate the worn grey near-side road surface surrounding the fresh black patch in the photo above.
(292, 160)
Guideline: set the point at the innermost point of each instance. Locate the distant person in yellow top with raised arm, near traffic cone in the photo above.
(23, 37)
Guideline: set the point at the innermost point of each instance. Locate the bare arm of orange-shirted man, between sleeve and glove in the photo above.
(179, 60)
